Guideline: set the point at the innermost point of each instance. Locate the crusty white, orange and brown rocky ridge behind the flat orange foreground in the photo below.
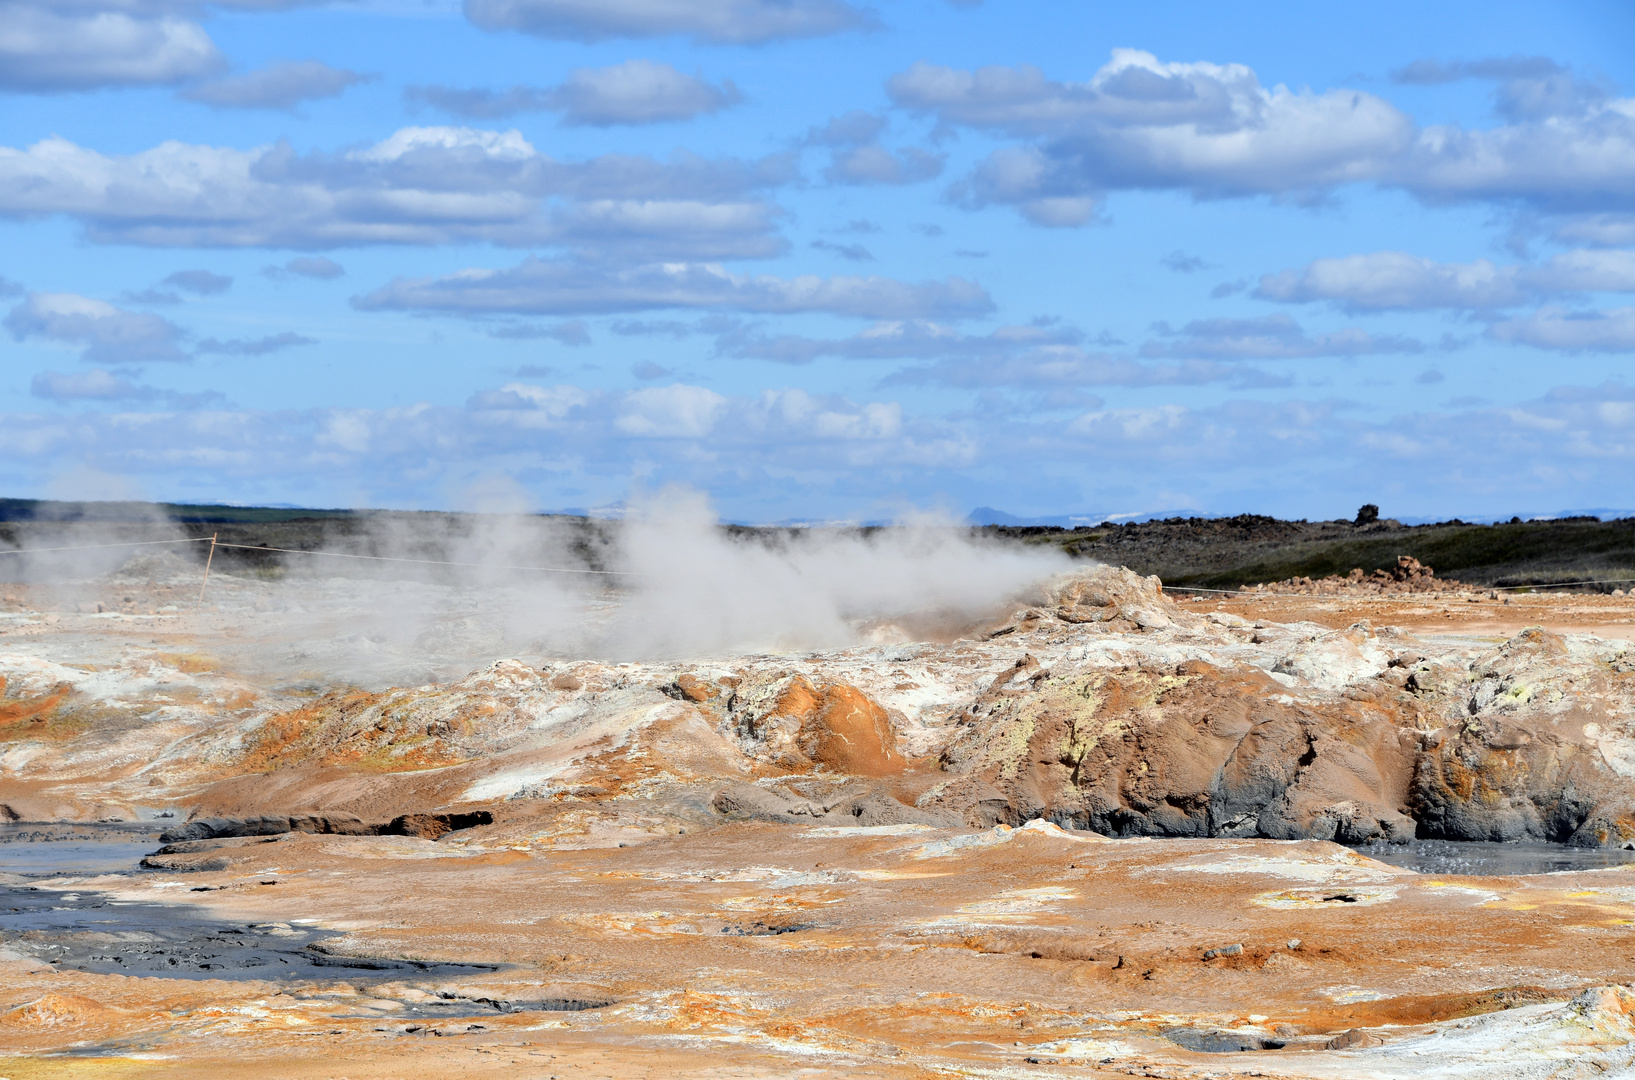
(1098, 703)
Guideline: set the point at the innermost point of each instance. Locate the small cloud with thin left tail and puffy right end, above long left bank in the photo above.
(635, 92)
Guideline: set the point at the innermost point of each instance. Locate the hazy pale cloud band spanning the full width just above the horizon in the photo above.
(794, 453)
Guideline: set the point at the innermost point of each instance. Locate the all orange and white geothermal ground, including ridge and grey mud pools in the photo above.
(1096, 832)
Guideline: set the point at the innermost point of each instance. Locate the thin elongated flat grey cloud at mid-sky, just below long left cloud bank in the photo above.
(557, 287)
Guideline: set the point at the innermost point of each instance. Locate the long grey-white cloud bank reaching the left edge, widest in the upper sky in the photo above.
(421, 185)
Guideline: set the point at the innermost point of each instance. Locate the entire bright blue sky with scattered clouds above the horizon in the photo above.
(822, 259)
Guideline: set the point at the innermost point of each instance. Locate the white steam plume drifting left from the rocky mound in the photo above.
(446, 594)
